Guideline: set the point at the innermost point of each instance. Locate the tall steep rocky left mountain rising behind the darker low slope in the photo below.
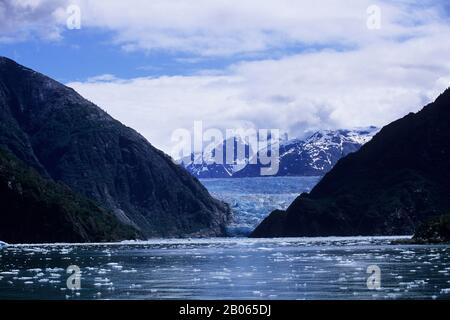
(70, 140)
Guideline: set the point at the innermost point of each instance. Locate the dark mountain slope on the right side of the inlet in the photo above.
(395, 182)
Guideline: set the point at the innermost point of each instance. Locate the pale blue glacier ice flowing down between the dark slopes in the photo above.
(252, 199)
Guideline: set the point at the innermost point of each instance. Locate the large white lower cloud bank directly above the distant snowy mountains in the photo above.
(328, 89)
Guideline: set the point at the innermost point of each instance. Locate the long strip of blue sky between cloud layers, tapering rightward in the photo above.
(88, 52)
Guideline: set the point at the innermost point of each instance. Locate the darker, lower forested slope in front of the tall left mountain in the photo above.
(36, 210)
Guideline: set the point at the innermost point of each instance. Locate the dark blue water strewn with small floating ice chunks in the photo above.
(233, 268)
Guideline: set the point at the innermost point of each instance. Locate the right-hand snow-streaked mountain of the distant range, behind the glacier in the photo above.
(316, 155)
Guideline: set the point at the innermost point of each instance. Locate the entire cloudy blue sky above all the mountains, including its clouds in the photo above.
(297, 66)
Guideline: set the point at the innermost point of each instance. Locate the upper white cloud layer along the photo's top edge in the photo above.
(222, 28)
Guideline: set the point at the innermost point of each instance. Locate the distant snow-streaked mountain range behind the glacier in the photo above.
(313, 156)
